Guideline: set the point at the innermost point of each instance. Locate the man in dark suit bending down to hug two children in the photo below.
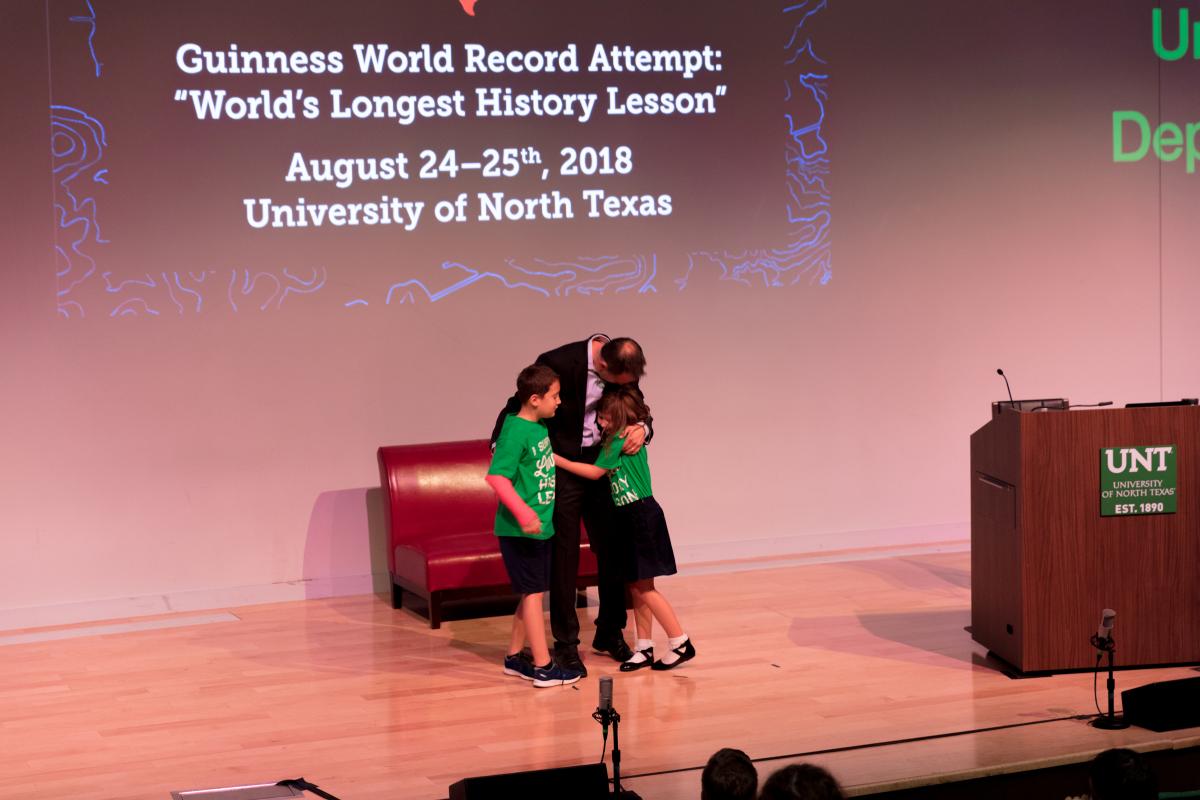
(584, 369)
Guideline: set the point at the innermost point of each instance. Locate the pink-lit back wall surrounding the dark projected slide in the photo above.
(979, 222)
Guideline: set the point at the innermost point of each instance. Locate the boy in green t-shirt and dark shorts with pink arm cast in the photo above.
(523, 476)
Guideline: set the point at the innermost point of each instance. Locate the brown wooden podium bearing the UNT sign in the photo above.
(1045, 563)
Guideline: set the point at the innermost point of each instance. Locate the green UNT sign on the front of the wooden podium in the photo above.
(1138, 480)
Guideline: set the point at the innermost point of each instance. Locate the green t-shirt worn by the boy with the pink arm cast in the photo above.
(524, 456)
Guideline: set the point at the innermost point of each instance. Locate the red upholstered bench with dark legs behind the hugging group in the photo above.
(441, 512)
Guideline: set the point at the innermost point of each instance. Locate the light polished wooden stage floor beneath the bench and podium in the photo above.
(853, 665)
